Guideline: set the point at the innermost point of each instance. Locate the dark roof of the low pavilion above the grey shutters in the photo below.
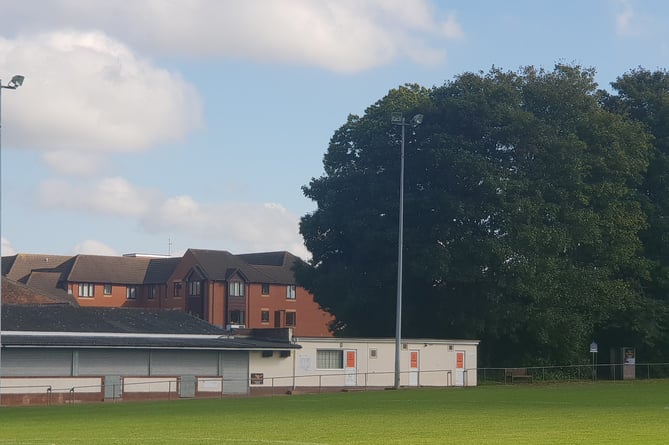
(62, 326)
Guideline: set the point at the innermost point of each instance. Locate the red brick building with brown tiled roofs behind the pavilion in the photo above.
(250, 290)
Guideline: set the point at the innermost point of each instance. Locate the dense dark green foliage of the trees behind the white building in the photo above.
(535, 215)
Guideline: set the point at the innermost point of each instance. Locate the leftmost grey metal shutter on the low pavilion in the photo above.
(36, 362)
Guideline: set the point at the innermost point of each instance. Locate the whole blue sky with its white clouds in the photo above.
(157, 126)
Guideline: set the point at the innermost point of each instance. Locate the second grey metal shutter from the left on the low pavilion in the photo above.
(113, 362)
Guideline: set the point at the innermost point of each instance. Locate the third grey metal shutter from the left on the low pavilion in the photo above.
(199, 363)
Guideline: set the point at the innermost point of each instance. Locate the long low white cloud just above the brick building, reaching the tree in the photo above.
(241, 227)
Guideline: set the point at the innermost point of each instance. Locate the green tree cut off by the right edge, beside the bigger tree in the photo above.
(644, 96)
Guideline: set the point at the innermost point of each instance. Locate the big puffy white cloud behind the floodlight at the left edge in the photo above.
(86, 92)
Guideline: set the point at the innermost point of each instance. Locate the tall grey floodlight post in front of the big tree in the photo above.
(398, 119)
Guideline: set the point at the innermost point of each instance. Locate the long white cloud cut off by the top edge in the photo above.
(338, 35)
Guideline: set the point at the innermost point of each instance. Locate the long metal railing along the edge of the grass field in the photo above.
(168, 388)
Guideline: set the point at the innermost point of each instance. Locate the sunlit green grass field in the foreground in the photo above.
(584, 413)
